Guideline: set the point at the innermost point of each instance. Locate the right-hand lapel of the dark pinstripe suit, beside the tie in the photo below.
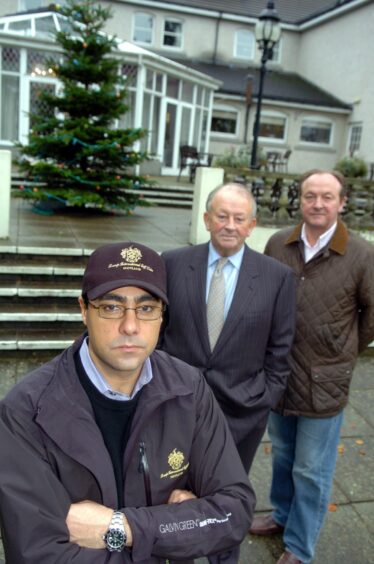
(246, 288)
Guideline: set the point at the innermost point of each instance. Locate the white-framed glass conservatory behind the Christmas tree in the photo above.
(171, 101)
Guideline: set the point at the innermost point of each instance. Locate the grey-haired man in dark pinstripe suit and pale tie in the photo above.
(247, 366)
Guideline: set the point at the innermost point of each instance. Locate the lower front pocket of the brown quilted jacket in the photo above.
(330, 386)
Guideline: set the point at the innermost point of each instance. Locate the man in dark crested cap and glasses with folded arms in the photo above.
(114, 452)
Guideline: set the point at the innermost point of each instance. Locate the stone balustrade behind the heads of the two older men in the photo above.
(277, 197)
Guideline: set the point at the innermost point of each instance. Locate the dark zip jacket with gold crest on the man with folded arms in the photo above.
(53, 454)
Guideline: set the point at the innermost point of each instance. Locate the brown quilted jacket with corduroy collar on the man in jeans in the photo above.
(335, 318)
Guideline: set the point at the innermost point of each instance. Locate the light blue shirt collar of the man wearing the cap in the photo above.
(102, 385)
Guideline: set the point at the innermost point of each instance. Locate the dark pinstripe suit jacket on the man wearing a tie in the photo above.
(248, 367)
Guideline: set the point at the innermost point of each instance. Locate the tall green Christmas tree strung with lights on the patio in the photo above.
(74, 149)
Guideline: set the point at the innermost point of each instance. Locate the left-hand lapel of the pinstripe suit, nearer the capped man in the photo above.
(196, 291)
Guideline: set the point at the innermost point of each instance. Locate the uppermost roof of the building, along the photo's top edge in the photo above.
(290, 11)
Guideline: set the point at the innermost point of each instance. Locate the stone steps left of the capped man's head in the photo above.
(38, 298)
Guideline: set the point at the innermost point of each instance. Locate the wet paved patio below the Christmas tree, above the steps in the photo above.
(160, 227)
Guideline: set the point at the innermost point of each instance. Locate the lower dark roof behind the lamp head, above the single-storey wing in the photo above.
(278, 85)
